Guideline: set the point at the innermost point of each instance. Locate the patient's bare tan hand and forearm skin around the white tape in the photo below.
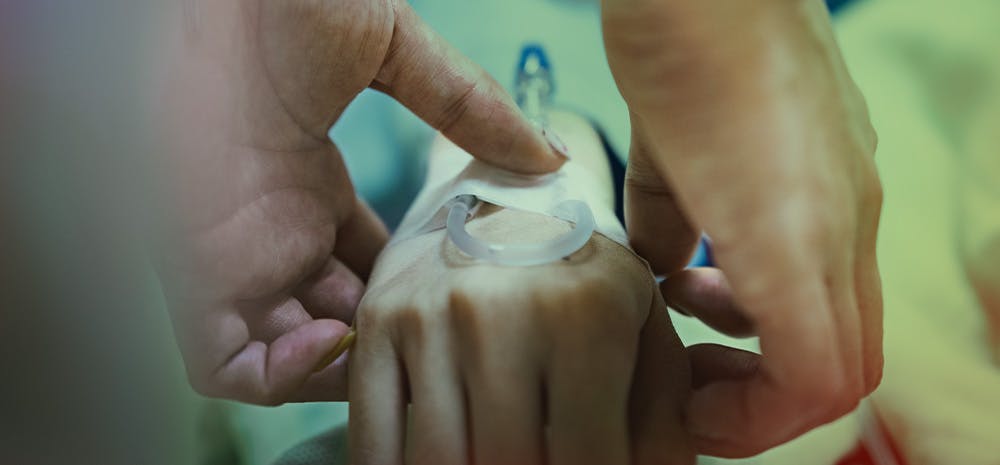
(489, 356)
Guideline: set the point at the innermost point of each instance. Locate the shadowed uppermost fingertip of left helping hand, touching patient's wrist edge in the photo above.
(360, 239)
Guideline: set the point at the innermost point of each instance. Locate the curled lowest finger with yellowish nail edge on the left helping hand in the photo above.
(271, 374)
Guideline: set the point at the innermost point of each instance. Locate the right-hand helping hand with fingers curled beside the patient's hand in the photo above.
(747, 125)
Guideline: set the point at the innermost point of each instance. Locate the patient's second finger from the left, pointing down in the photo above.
(437, 434)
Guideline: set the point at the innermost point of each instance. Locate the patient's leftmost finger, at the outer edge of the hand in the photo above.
(378, 408)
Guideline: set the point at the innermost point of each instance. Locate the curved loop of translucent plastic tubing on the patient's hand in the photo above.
(574, 211)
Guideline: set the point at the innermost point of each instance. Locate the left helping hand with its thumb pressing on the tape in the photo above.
(268, 246)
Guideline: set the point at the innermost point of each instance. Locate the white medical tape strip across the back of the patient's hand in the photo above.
(453, 172)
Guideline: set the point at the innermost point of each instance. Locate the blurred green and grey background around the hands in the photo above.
(89, 372)
